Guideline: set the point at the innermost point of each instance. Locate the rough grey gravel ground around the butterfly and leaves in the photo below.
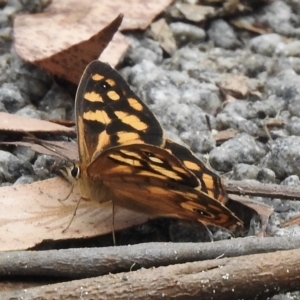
(182, 90)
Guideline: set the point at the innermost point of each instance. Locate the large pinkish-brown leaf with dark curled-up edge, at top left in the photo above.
(65, 37)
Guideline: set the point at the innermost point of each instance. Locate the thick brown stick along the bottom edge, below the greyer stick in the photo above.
(245, 277)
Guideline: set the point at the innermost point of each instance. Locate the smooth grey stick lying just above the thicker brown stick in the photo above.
(90, 262)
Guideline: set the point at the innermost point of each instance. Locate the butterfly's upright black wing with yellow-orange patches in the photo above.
(110, 114)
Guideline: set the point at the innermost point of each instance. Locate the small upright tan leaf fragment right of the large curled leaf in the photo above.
(161, 32)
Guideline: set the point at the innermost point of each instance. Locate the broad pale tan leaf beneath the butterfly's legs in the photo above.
(32, 213)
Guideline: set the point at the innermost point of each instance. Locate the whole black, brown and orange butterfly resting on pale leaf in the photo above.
(124, 156)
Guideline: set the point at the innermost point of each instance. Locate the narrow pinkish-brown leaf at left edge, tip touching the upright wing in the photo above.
(9, 122)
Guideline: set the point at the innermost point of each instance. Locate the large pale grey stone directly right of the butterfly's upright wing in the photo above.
(173, 92)
